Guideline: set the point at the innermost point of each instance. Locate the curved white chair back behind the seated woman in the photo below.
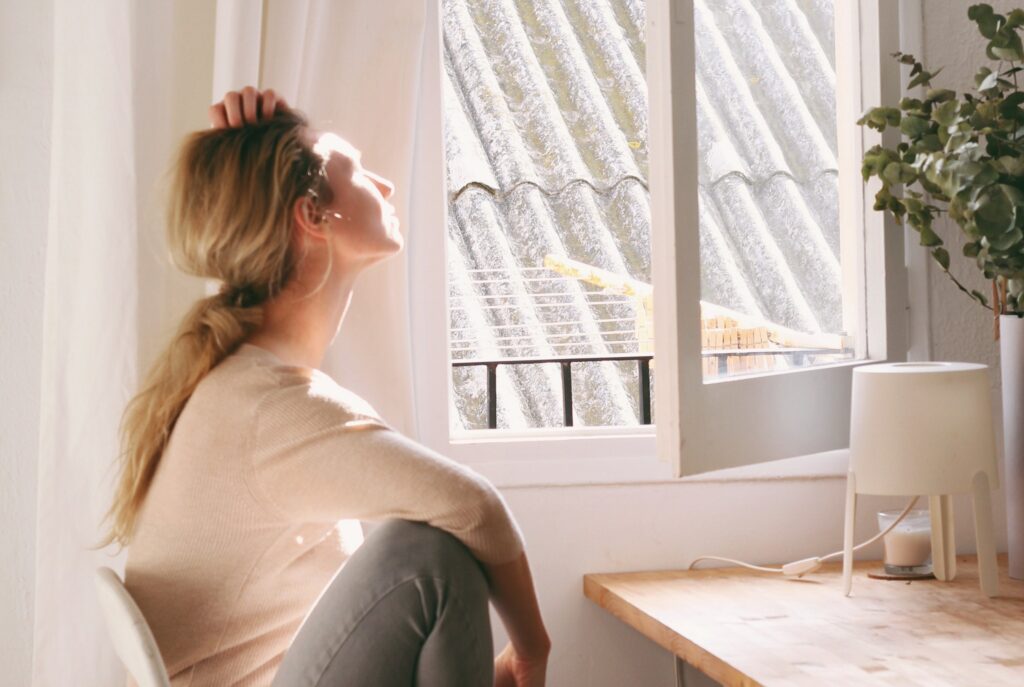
(131, 633)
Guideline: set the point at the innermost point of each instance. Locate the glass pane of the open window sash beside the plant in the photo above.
(773, 272)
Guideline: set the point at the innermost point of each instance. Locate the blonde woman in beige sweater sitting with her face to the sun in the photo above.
(245, 469)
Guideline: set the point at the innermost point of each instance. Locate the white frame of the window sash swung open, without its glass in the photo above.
(705, 426)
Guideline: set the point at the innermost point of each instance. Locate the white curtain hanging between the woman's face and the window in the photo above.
(355, 69)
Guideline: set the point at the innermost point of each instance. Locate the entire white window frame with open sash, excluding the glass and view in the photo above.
(680, 444)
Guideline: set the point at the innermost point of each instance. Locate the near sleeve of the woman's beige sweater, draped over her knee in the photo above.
(323, 454)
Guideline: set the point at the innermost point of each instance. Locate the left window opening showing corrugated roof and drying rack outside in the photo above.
(549, 220)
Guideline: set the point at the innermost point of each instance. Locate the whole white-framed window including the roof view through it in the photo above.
(511, 206)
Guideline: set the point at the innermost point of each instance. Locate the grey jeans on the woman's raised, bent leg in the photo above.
(410, 608)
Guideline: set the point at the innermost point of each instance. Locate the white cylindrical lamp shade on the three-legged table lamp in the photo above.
(921, 428)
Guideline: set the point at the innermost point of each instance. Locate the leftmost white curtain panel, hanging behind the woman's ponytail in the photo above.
(90, 334)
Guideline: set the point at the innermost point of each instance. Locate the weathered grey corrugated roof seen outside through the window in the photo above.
(546, 136)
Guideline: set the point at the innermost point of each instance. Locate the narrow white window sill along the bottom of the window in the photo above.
(581, 473)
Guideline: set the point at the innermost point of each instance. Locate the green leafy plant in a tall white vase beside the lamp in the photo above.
(963, 156)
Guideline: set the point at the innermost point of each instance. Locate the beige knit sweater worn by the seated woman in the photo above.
(255, 506)
